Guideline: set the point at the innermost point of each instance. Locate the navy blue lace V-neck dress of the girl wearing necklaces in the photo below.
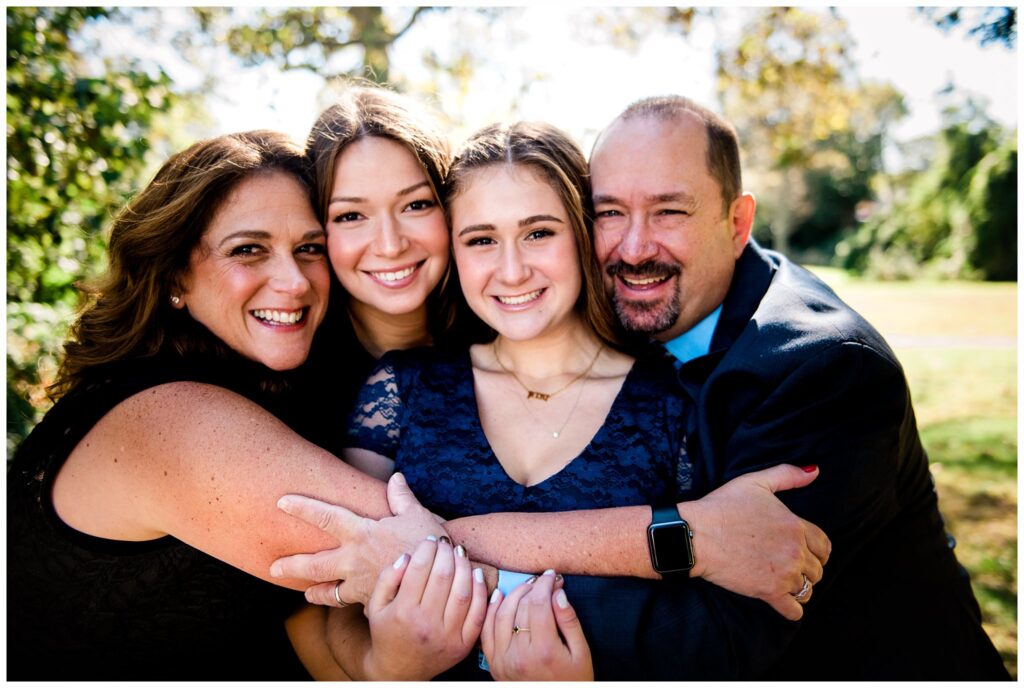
(419, 408)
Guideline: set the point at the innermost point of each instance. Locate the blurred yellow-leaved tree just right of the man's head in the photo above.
(807, 126)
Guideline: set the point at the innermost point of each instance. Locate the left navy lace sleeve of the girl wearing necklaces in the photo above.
(377, 418)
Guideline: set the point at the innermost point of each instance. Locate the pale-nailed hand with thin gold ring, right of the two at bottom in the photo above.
(534, 635)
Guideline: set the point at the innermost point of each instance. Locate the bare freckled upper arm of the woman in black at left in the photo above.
(206, 466)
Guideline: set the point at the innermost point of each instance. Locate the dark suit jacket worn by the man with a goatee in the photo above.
(796, 376)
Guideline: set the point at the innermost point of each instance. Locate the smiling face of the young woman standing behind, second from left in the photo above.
(388, 237)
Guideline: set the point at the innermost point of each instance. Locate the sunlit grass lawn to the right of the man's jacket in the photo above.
(958, 346)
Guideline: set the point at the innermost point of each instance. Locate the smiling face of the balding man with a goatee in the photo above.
(666, 247)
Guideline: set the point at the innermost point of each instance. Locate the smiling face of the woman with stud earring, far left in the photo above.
(259, 279)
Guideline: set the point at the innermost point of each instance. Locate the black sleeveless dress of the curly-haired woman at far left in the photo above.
(89, 609)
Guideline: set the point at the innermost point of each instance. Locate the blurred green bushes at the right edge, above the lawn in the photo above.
(958, 219)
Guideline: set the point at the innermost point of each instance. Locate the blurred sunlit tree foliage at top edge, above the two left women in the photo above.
(330, 41)
